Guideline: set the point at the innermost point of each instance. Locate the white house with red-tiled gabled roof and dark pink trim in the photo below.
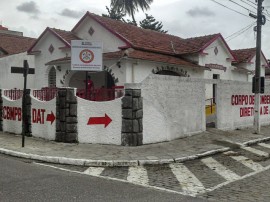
(130, 54)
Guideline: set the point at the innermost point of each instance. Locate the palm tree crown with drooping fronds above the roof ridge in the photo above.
(131, 6)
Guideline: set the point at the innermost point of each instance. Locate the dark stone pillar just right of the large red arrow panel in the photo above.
(132, 115)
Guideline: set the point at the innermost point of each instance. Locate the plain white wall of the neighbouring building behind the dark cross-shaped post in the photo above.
(9, 80)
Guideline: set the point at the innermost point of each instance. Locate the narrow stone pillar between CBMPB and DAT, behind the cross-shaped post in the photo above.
(28, 107)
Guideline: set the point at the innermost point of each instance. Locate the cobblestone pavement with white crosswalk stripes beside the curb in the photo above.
(231, 176)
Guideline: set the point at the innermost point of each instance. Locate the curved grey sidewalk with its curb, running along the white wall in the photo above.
(207, 143)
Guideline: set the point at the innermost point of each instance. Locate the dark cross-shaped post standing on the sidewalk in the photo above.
(25, 70)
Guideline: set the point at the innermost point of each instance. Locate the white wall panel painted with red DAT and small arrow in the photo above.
(40, 126)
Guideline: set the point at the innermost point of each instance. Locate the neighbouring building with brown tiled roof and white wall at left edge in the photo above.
(13, 50)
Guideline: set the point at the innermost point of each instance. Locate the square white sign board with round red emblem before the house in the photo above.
(86, 55)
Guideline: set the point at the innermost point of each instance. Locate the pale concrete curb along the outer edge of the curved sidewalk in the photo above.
(121, 163)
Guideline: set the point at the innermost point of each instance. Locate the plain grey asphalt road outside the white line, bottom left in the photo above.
(22, 180)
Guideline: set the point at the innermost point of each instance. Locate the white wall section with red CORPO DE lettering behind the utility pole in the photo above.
(231, 115)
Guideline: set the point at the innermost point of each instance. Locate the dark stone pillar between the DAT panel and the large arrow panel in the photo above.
(66, 116)
